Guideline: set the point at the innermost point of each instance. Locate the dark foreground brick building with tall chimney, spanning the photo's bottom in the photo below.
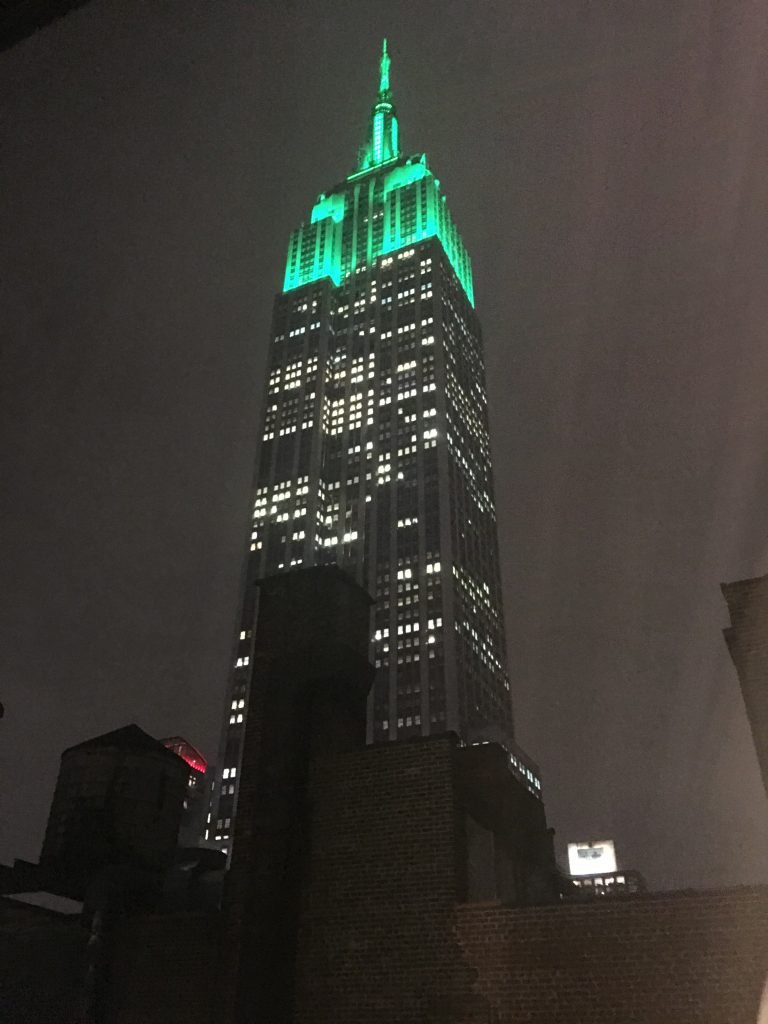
(406, 882)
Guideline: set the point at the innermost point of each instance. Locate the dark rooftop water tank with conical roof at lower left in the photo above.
(119, 800)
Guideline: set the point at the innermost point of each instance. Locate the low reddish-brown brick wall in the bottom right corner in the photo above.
(668, 959)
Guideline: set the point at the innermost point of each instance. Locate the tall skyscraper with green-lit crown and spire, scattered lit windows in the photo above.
(375, 452)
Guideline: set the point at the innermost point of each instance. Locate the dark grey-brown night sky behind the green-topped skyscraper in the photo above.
(607, 163)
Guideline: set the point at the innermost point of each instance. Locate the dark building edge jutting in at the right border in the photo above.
(747, 638)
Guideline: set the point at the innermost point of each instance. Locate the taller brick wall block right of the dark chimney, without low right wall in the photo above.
(376, 942)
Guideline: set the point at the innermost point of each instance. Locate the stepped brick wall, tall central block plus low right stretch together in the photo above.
(386, 934)
